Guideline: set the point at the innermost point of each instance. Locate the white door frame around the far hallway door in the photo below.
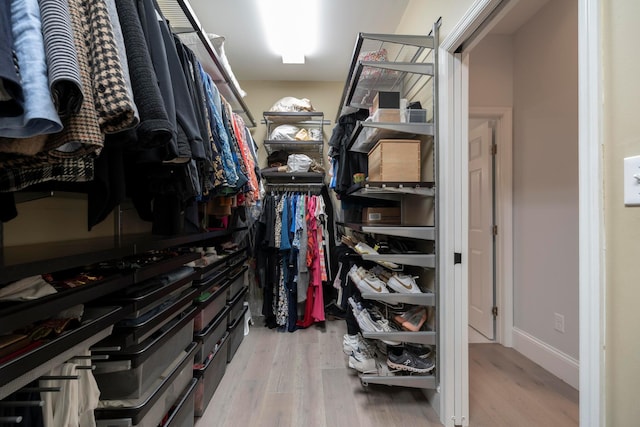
(503, 200)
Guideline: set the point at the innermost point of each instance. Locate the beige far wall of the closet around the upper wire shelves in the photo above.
(261, 95)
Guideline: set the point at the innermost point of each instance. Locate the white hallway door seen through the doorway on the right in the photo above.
(481, 239)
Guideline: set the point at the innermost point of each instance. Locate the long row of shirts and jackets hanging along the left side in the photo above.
(104, 92)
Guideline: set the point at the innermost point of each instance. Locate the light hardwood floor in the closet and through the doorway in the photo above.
(302, 379)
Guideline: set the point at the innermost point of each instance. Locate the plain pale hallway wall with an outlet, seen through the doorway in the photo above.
(545, 181)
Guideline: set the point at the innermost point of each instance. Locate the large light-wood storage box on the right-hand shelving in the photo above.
(395, 160)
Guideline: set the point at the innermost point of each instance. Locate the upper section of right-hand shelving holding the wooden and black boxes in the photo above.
(392, 77)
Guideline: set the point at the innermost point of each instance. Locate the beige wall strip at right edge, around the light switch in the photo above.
(621, 32)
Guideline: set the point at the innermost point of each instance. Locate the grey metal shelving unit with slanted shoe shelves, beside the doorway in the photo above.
(410, 70)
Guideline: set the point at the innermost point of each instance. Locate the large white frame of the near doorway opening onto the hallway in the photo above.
(453, 124)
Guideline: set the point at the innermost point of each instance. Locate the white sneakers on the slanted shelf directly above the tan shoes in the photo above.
(378, 280)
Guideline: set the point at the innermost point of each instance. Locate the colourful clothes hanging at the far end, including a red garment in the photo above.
(293, 285)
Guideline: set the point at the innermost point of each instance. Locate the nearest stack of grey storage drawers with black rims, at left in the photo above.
(145, 373)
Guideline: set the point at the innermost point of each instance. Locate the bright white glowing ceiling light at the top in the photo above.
(291, 27)
